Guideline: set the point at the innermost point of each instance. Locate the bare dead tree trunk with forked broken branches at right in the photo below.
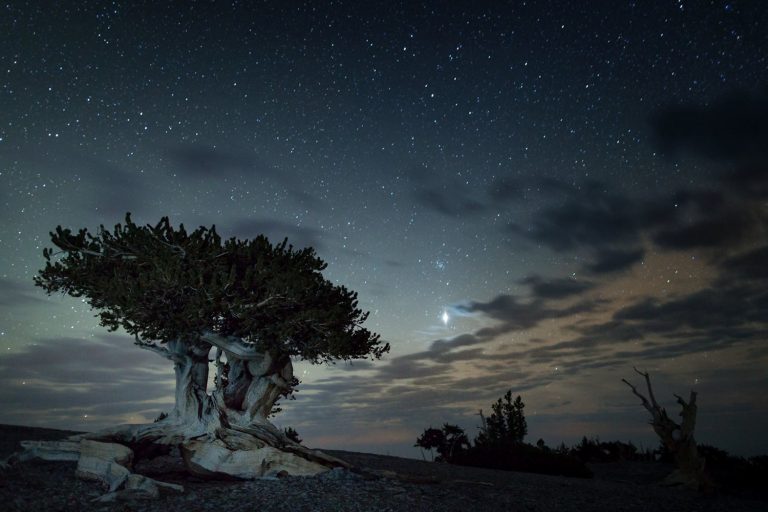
(677, 438)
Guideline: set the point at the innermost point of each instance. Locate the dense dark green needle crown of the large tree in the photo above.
(161, 284)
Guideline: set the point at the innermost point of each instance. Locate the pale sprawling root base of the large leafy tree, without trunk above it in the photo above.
(246, 453)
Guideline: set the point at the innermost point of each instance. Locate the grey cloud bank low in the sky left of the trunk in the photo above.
(57, 381)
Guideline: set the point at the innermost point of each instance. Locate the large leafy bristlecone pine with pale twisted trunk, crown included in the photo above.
(249, 304)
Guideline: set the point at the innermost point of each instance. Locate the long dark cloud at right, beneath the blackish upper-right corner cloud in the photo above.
(611, 227)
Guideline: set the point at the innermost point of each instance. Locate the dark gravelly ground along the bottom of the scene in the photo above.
(628, 486)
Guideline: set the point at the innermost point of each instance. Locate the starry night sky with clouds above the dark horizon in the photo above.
(533, 196)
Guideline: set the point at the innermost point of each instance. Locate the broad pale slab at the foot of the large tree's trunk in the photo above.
(213, 458)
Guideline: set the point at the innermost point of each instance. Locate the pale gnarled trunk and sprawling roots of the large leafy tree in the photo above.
(222, 432)
